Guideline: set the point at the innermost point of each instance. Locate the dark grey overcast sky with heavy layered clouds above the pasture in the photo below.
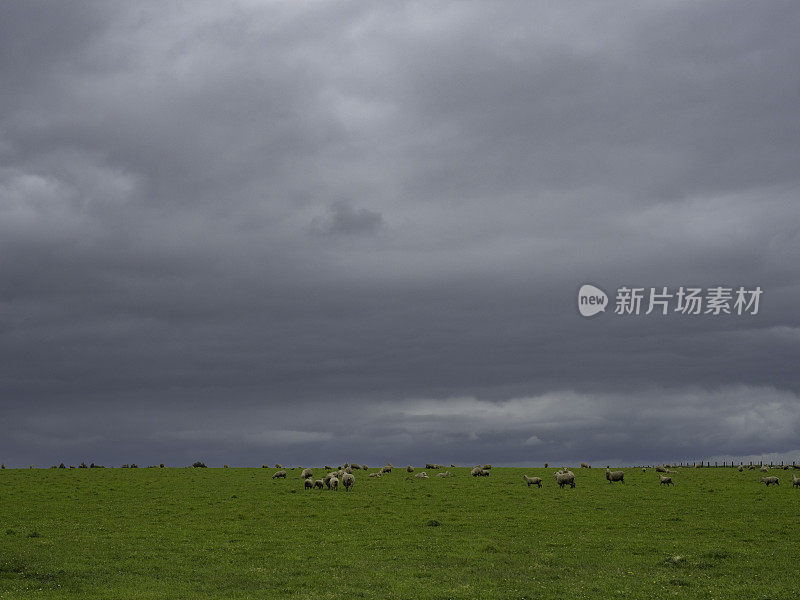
(303, 233)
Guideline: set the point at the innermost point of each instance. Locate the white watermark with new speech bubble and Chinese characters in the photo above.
(685, 300)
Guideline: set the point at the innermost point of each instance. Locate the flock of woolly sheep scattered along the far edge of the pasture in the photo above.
(564, 477)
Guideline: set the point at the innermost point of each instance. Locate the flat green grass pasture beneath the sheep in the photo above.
(236, 533)
